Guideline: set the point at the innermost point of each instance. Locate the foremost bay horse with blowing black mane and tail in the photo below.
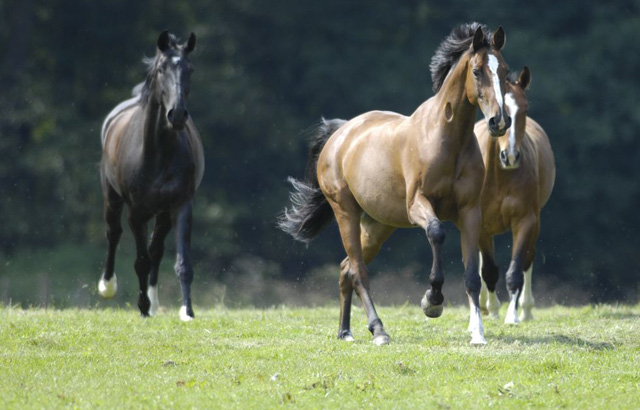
(381, 171)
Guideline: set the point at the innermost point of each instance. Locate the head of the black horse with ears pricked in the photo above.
(173, 77)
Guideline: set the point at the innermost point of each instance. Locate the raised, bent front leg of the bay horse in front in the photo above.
(421, 213)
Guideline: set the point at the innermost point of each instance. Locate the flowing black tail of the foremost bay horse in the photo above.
(310, 212)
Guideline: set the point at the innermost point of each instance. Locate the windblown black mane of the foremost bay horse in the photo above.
(451, 48)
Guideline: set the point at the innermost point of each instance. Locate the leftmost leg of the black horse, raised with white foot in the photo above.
(113, 204)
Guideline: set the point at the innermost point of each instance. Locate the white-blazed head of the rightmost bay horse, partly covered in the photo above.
(517, 107)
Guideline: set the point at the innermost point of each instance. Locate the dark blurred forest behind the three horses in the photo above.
(265, 72)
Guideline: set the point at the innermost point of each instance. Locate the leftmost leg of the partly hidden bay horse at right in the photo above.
(489, 272)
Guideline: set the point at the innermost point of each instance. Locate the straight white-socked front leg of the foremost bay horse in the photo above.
(469, 224)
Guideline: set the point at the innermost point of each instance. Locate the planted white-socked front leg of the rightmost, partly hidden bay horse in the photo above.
(525, 233)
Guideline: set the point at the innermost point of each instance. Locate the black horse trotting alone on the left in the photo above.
(153, 161)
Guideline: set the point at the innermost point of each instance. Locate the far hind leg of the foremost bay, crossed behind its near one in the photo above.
(372, 235)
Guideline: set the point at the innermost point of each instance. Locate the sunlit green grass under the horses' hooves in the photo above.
(586, 357)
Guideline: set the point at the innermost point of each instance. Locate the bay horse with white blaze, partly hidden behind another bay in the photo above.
(519, 176)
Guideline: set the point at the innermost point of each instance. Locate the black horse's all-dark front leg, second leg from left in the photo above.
(142, 265)
